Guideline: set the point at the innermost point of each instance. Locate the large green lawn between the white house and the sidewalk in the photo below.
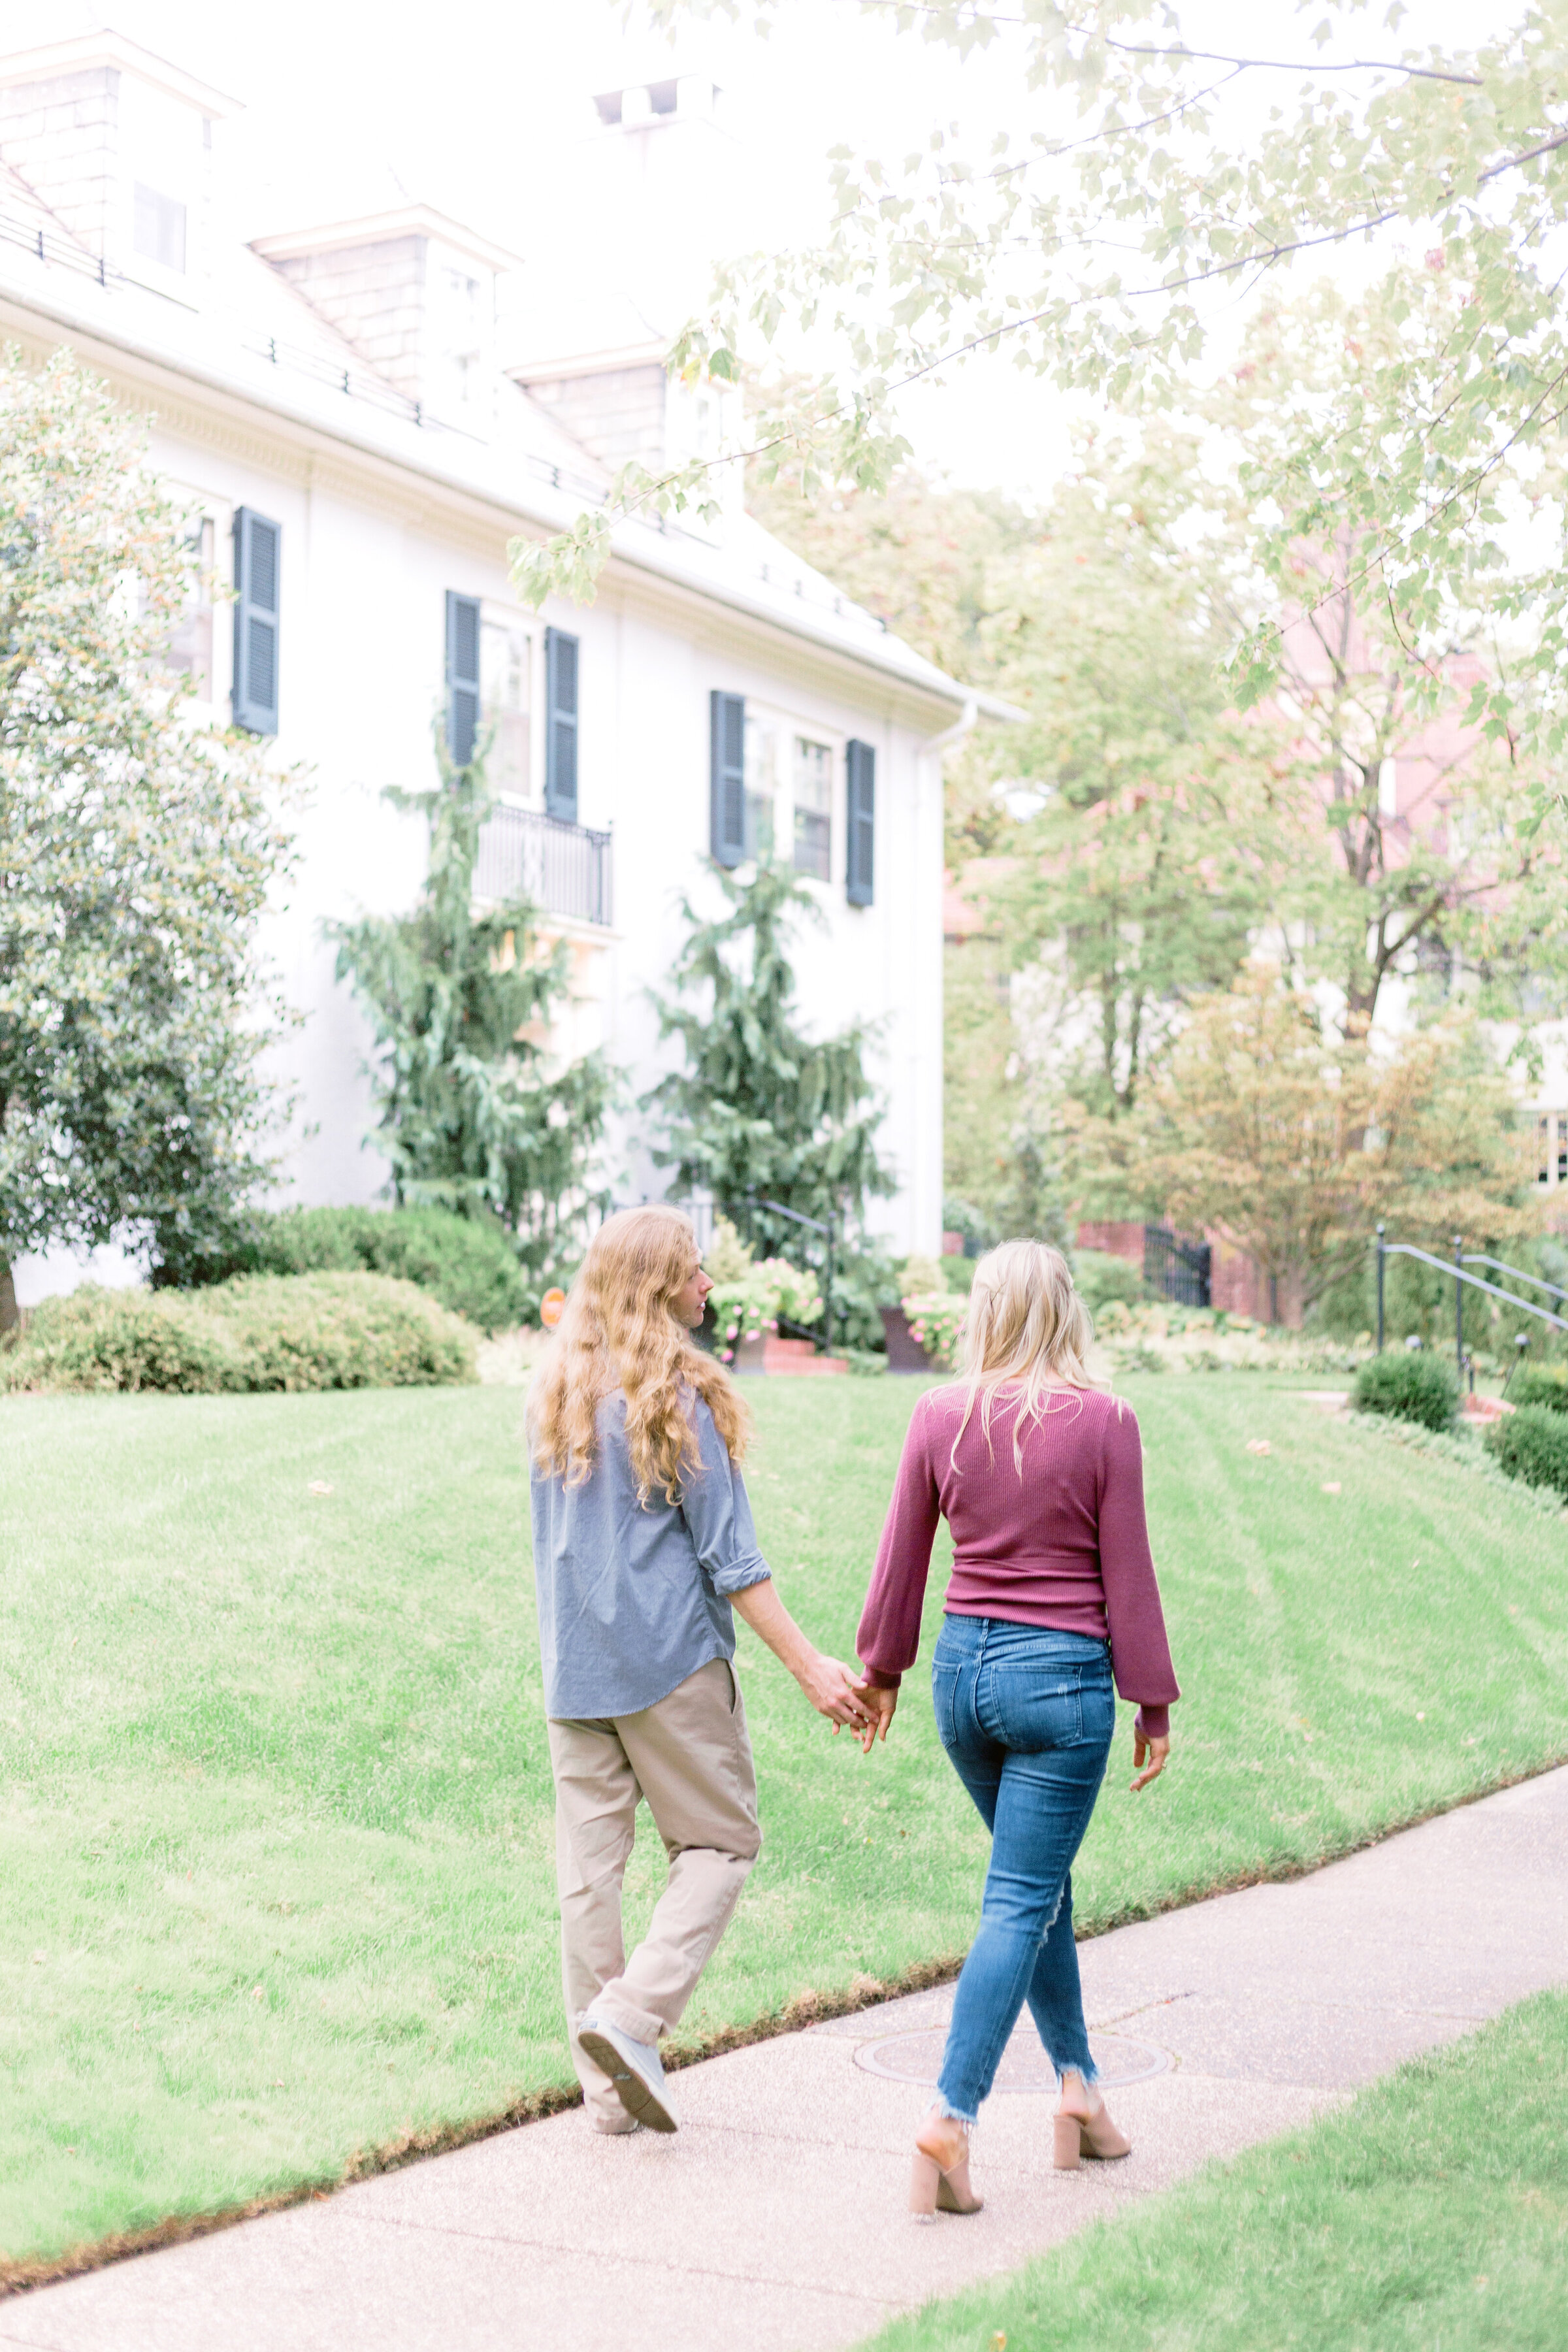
(276, 1793)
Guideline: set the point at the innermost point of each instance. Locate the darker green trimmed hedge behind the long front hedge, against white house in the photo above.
(471, 1269)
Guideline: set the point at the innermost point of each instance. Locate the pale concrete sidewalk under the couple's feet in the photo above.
(777, 2217)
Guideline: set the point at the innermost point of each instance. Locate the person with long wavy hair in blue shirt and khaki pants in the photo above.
(643, 1544)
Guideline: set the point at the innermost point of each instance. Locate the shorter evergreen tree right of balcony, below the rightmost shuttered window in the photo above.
(763, 1111)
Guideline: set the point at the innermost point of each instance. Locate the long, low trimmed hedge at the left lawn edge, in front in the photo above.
(257, 1332)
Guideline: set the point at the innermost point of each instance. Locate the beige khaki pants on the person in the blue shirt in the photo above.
(692, 1760)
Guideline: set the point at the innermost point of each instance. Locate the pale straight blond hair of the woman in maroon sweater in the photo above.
(1026, 1330)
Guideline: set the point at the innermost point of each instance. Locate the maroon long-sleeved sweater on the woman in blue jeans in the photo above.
(1061, 1546)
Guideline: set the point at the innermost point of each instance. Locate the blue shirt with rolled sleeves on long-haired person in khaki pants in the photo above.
(634, 1596)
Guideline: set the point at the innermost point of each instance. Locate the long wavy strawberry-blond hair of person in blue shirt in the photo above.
(619, 1332)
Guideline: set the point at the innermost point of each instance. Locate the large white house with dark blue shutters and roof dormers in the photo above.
(356, 441)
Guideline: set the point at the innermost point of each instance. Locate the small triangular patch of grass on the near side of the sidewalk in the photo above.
(1433, 2217)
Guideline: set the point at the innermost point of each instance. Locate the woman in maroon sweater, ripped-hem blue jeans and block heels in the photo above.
(1040, 1481)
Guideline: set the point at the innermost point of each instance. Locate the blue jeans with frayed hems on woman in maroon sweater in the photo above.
(1026, 1718)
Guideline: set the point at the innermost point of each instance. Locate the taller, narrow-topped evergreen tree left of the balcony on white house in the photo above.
(474, 1116)
